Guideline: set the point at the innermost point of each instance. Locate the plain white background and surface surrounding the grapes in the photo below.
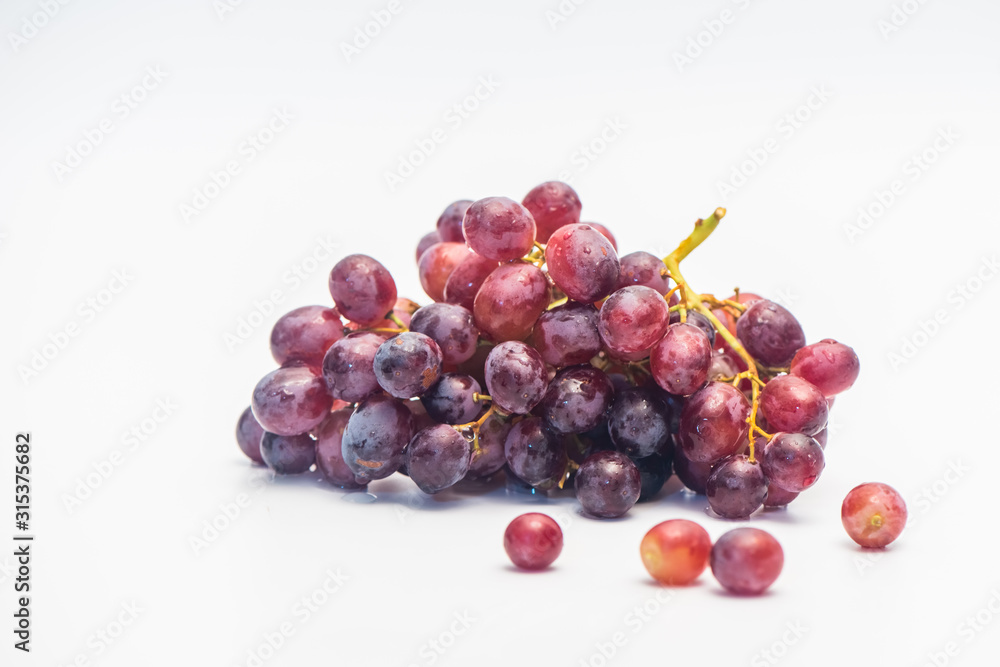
(413, 564)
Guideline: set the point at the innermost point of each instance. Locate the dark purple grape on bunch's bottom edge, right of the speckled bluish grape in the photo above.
(437, 458)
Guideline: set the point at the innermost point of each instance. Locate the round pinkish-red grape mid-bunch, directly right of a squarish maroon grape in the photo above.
(633, 319)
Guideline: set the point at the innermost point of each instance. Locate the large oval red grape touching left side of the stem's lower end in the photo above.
(714, 423)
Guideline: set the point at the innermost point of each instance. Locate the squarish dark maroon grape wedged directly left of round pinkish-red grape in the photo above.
(567, 335)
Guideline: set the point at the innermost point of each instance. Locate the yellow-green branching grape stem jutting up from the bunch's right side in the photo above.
(690, 300)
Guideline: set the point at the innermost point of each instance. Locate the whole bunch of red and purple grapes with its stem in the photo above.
(547, 358)
